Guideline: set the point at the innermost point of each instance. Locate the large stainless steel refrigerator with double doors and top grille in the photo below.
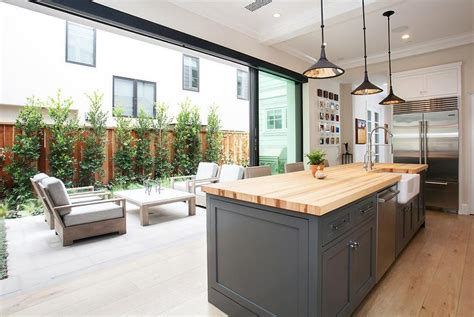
(427, 131)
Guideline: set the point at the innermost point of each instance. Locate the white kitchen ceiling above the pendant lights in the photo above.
(432, 24)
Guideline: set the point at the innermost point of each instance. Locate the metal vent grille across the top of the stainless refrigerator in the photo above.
(427, 105)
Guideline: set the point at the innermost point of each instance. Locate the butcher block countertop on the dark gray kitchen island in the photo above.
(300, 192)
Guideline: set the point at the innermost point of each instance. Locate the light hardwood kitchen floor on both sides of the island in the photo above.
(434, 276)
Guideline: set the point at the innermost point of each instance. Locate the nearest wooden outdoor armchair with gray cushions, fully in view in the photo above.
(85, 219)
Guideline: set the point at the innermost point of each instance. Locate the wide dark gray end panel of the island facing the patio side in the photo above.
(258, 259)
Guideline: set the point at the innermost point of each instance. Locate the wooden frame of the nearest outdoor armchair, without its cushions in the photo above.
(69, 234)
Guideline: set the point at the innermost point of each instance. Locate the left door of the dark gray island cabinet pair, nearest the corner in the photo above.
(336, 279)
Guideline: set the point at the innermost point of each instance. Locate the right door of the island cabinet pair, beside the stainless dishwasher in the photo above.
(362, 251)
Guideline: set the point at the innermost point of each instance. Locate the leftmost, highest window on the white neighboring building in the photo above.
(80, 44)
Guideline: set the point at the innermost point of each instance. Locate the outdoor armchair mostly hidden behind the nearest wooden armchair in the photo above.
(76, 195)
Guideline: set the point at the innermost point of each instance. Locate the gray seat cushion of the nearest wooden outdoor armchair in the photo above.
(92, 213)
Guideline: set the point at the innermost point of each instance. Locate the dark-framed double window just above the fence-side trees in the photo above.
(132, 95)
